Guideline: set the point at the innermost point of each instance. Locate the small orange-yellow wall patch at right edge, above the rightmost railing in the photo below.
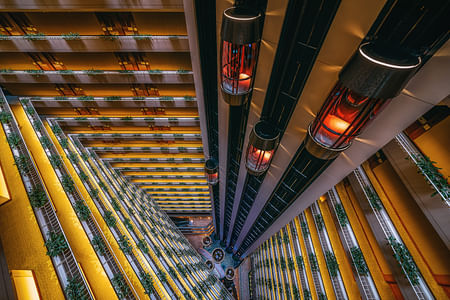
(435, 143)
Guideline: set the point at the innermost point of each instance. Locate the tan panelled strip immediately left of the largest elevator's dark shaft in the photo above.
(351, 23)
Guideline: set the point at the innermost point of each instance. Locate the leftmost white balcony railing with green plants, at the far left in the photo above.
(65, 264)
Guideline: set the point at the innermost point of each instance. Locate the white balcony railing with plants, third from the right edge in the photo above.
(369, 290)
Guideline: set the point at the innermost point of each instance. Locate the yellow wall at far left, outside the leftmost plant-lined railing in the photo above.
(21, 237)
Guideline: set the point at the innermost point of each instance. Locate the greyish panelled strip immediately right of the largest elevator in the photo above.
(427, 88)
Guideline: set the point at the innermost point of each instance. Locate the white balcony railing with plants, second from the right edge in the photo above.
(421, 288)
